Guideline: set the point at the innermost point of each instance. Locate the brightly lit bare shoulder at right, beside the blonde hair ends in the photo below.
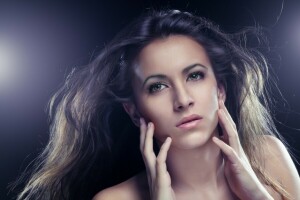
(279, 165)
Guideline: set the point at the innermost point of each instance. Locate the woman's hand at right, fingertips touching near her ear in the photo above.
(239, 174)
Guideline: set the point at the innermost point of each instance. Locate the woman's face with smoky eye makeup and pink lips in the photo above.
(176, 89)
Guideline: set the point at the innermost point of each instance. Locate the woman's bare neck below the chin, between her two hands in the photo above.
(196, 168)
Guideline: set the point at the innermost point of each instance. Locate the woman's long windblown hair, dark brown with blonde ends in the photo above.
(91, 135)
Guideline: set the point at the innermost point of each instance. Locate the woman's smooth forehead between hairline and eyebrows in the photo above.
(171, 53)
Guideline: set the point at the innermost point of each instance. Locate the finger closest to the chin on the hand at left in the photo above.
(161, 166)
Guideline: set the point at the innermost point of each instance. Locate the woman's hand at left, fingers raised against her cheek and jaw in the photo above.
(159, 179)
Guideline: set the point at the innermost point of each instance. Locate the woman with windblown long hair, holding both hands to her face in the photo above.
(200, 102)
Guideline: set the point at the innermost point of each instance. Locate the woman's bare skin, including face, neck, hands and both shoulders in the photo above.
(193, 163)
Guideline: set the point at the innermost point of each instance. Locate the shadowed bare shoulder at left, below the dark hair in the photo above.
(135, 188)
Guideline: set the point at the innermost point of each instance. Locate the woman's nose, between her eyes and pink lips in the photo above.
(182, 99)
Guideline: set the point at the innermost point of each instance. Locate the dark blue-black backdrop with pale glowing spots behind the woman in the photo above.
(41, 41)
